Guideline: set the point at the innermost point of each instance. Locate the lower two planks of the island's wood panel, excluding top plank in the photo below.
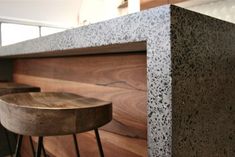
(129, 133)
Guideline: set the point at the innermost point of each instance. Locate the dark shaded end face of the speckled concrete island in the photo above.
(203, 86)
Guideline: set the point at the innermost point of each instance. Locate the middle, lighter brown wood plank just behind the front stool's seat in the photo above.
(129, 115)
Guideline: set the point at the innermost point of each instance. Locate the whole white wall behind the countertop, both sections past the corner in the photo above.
(64, 13)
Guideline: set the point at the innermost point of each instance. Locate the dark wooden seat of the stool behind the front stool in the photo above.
(11, 87)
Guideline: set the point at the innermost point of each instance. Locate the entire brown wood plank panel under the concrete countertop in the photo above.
(120, 78)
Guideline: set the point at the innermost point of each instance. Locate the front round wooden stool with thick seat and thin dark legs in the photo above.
(51, 114)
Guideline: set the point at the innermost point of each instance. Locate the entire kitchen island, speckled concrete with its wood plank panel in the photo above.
(167, 66)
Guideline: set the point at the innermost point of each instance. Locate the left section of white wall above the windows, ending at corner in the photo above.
(57, 12)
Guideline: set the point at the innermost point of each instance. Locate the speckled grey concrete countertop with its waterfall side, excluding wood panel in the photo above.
(191, 87)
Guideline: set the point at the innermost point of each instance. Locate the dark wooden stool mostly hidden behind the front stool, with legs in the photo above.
(11, 87)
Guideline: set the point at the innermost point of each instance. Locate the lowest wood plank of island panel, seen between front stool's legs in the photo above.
(114, 145)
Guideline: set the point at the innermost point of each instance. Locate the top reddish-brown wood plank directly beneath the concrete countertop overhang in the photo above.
(124, 71)
